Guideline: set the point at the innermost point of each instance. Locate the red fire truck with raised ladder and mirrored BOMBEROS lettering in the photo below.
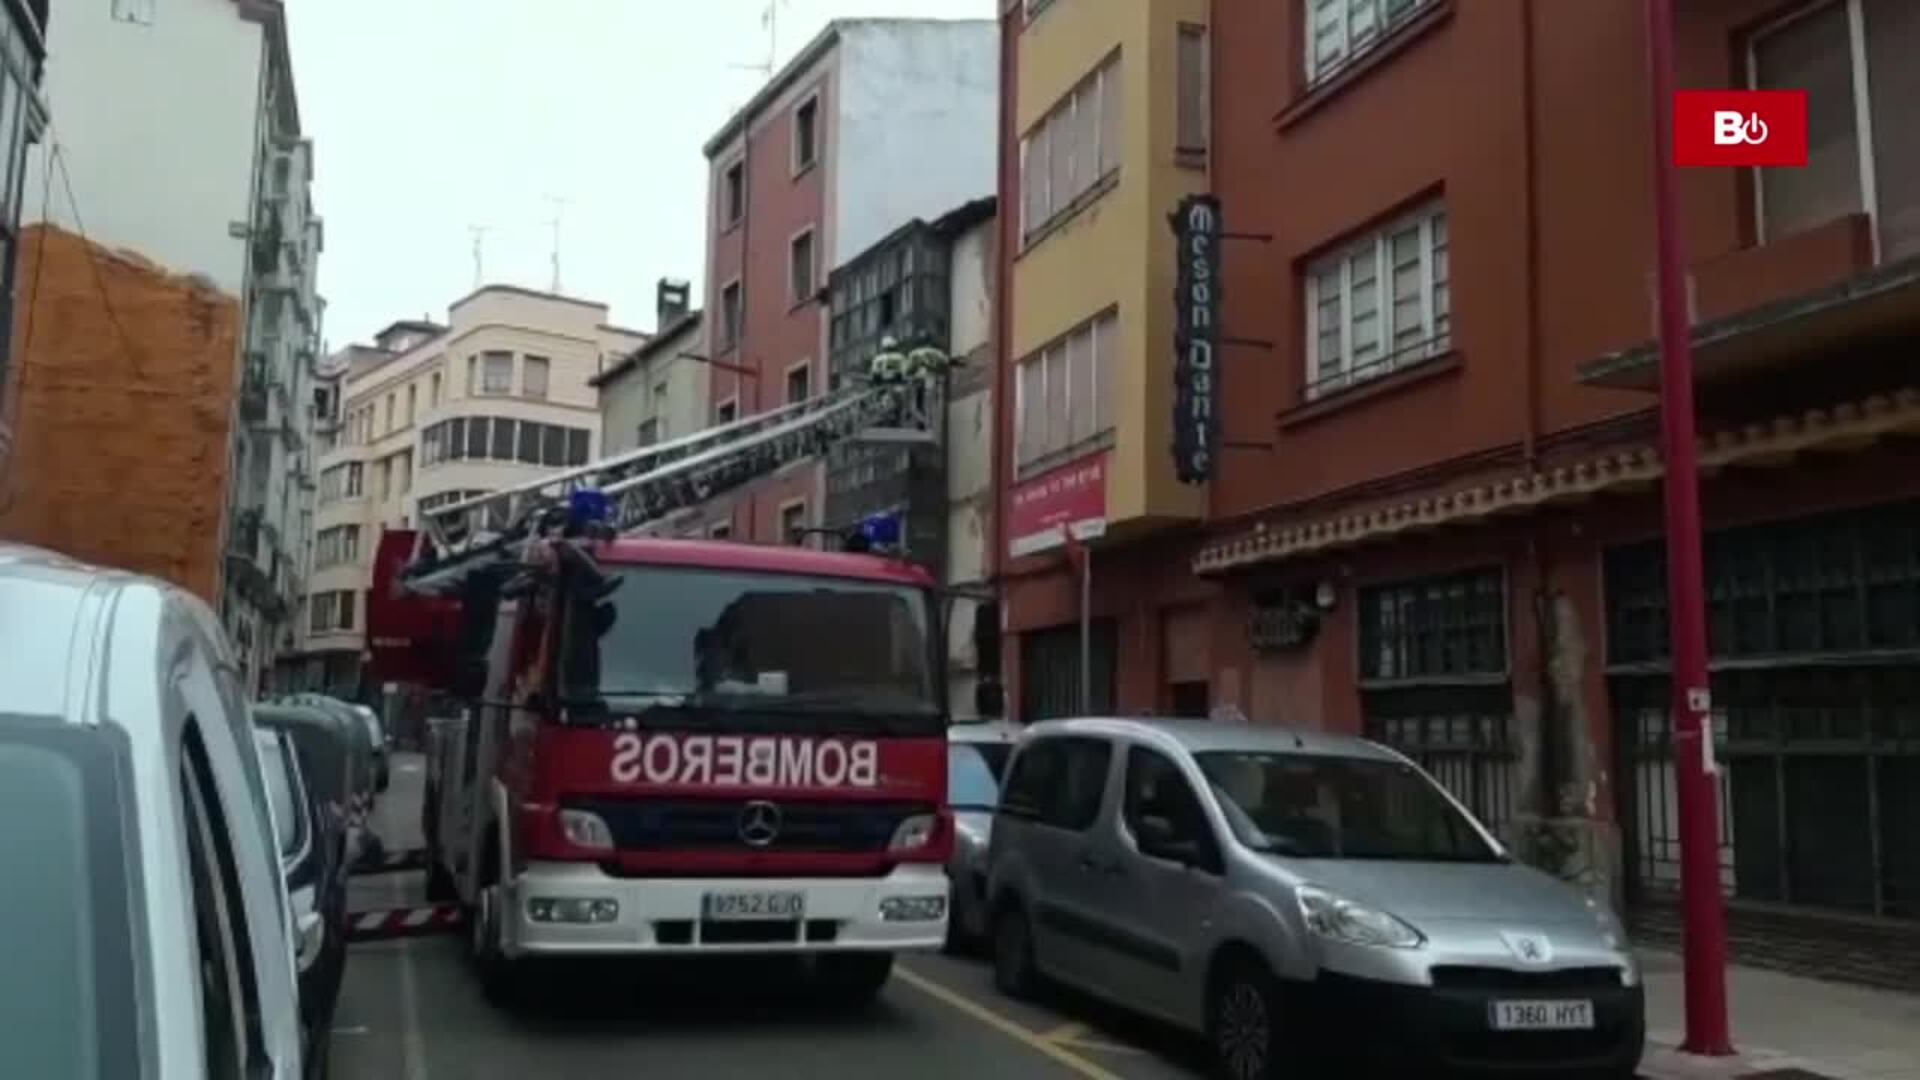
(681, 747)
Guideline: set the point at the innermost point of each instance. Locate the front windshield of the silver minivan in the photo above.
(1341, 808)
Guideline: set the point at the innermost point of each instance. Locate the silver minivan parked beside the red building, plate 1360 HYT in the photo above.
(1295, 896)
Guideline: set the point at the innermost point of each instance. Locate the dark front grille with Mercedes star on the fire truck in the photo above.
(715, 825)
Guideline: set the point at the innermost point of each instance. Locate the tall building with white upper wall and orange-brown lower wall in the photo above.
(160, 403)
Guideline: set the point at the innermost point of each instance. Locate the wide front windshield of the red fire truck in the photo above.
(752, 643)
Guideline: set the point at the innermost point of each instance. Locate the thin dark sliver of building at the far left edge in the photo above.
(22, 62)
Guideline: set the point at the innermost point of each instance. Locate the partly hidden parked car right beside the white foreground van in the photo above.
(299, 749)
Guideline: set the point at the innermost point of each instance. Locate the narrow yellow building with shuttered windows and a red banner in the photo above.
(1103, 132)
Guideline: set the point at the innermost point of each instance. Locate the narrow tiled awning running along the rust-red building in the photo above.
(1773, 443)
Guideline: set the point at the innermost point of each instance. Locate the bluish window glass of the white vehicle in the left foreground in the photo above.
(68, 993)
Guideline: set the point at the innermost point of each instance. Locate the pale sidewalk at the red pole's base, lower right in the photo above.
(1783, 1025)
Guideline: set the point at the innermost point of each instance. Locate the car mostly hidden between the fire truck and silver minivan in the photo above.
(976, 762)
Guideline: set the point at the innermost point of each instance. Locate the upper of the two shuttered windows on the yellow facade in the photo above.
(1072, 151)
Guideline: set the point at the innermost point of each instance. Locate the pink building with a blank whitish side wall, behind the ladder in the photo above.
(875, 124)
